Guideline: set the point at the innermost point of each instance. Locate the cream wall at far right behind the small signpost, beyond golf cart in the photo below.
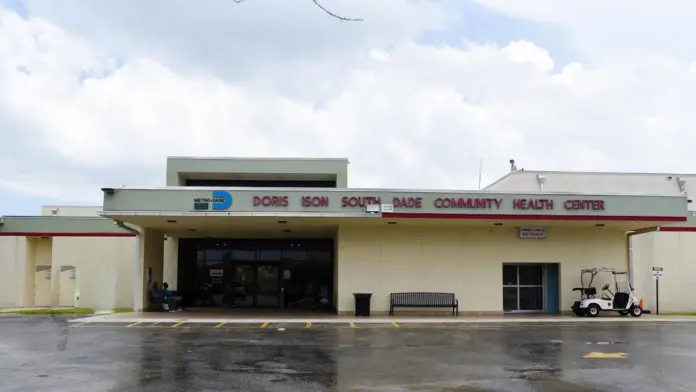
(676, 253)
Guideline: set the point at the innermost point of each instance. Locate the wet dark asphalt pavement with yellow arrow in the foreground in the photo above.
(47, 354)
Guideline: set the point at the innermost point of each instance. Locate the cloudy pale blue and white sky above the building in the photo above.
(97, 93)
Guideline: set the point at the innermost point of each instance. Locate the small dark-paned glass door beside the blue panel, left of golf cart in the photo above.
(523, 287)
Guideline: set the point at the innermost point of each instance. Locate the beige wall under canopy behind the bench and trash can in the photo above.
(467, 262)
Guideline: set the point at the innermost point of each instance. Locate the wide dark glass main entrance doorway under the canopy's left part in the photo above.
(285, 274)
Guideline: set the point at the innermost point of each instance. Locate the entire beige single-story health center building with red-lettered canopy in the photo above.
(286, 233)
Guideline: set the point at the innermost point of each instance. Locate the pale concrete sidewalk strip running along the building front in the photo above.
(260, 319)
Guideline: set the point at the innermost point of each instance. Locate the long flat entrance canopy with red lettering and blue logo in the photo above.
(196, 211)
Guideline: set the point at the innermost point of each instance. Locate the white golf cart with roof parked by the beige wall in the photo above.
(621, 300)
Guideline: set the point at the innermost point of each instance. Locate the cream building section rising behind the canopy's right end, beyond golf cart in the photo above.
(671, 247)
